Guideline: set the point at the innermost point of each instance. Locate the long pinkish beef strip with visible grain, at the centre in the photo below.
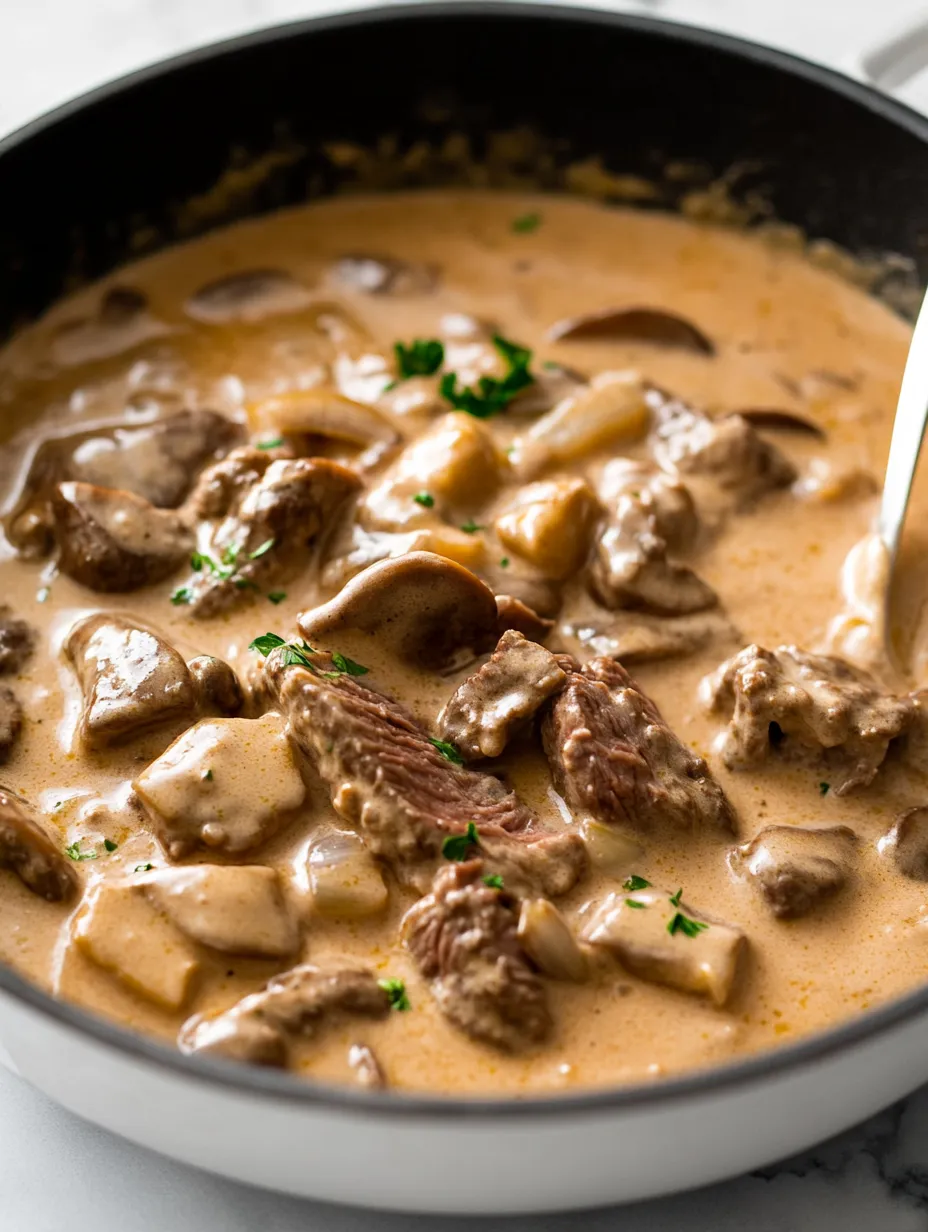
(391, 783)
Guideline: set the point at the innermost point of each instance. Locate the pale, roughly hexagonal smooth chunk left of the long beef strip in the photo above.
(226, 784)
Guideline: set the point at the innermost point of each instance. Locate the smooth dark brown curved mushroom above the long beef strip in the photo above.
(423, 608)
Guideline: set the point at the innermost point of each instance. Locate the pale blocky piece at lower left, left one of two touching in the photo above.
(120, 931)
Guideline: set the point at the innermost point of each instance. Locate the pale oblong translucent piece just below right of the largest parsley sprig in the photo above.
(611, 408)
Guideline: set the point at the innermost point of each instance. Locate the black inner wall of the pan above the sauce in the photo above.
(245, 129)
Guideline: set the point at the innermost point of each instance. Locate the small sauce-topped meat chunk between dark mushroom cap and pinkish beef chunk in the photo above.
(501, 698)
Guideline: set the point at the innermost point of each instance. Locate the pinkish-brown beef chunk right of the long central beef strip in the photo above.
(614, 757)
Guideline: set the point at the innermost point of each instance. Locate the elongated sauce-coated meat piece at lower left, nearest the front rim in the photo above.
(295, 1006)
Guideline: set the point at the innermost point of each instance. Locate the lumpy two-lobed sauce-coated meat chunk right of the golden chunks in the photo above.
(651, 517)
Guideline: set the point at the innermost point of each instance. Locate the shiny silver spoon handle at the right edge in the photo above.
(908, 436)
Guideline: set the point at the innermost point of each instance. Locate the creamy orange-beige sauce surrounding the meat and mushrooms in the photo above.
(787, 336)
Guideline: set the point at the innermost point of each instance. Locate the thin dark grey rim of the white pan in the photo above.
(289, 1088)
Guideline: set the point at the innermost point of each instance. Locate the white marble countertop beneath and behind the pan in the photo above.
(56, 1172)
